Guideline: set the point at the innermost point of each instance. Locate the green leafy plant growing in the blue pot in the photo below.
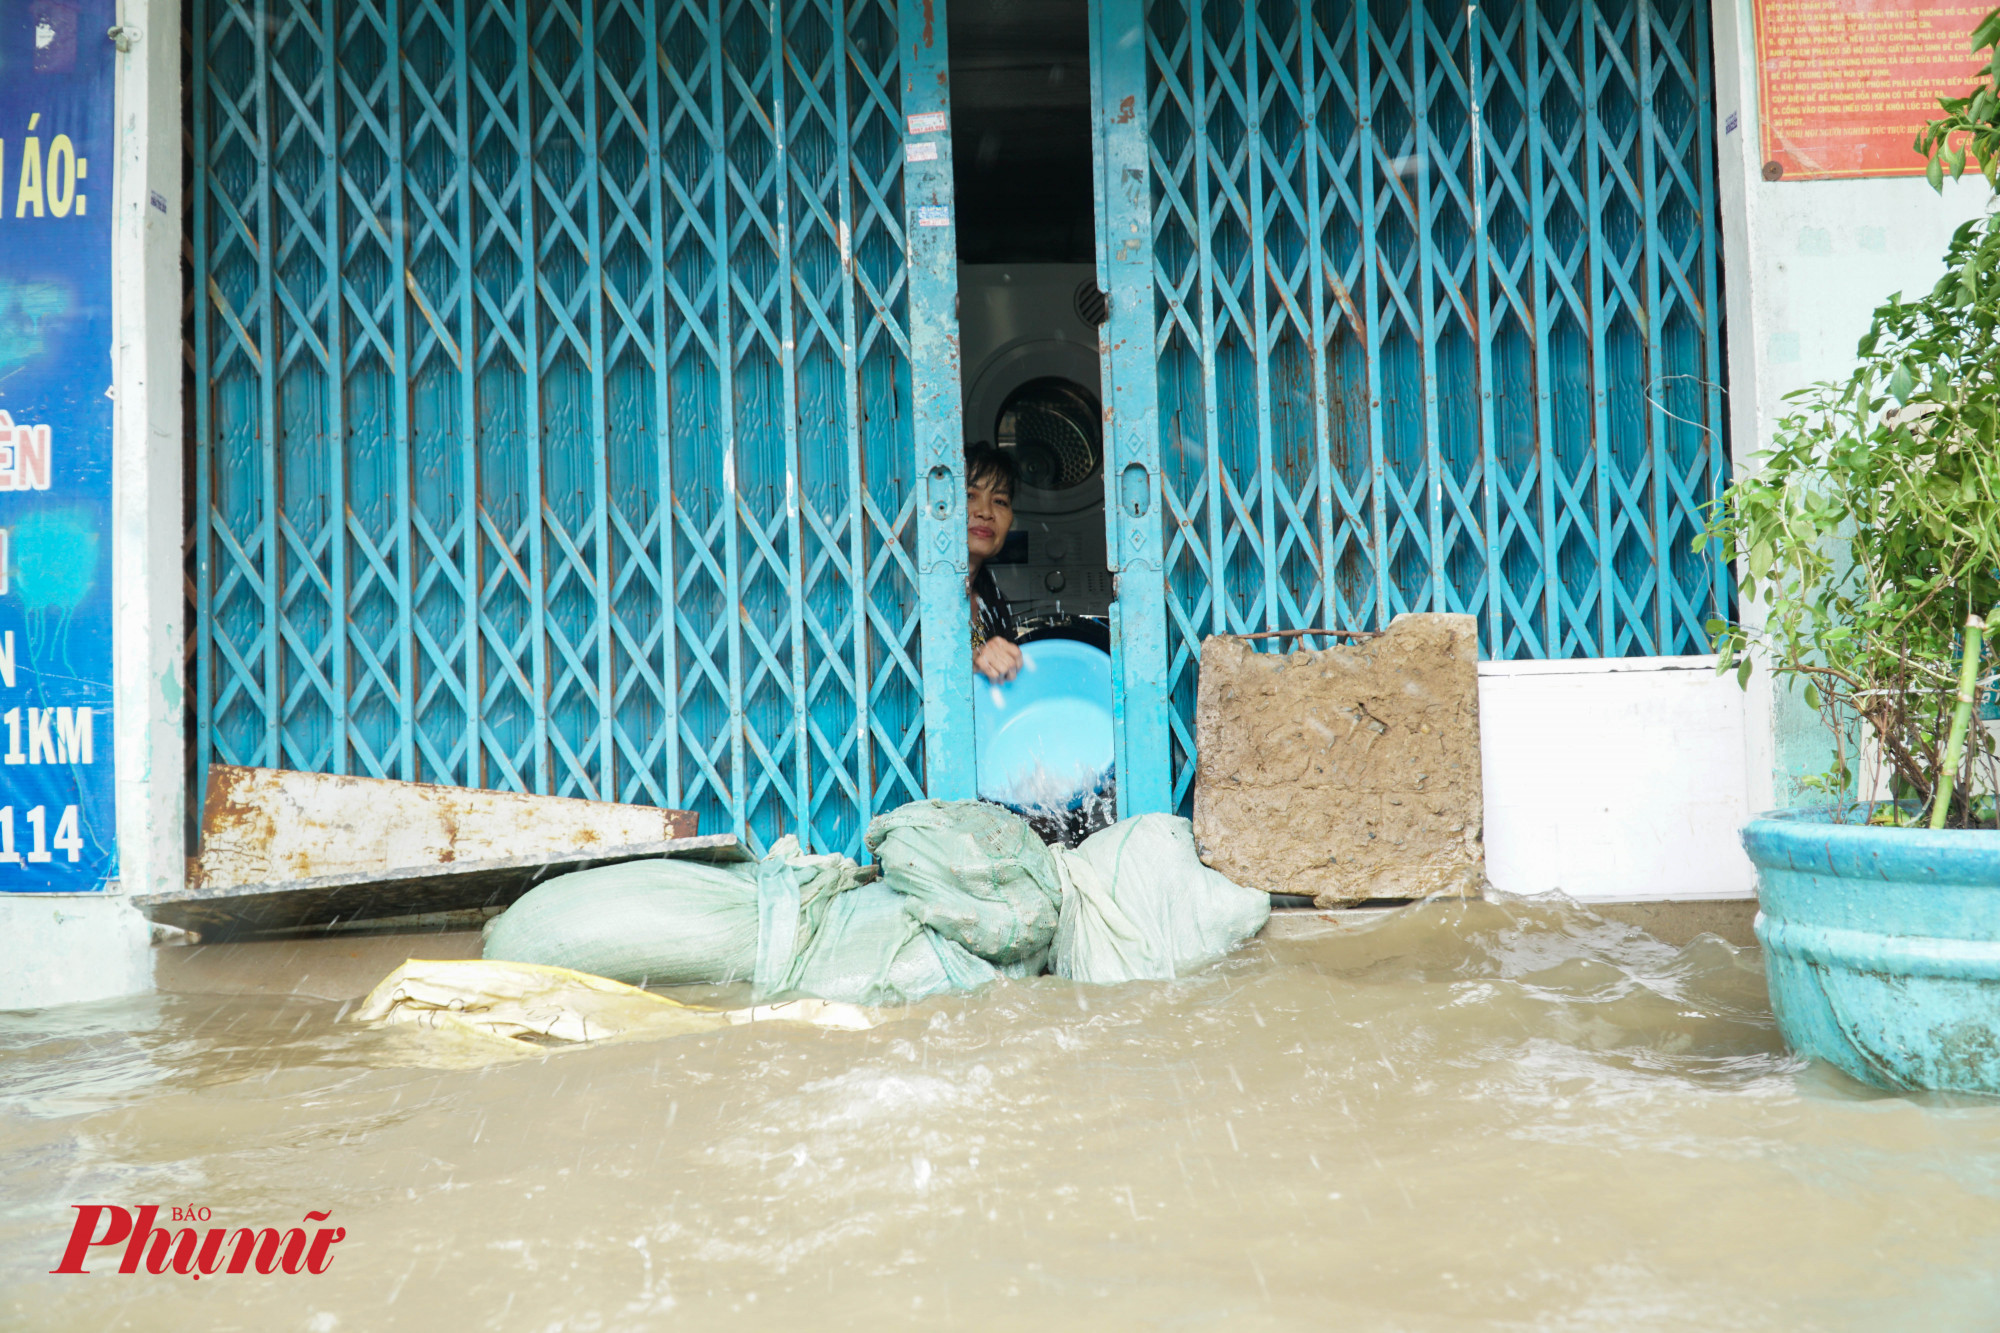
(1869, 539)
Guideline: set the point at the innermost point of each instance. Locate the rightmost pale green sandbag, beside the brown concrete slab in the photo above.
(1141, 906)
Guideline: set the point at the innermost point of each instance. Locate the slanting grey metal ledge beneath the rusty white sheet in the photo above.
(233, 912)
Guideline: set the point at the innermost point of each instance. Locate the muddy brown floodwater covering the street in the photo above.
(1459, 1118)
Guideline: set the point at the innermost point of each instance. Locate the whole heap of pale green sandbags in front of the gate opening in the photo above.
(967, 894)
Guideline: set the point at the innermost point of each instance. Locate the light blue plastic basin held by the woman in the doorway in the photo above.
(1045, 738)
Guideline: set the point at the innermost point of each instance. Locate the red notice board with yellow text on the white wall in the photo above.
(1845, 85)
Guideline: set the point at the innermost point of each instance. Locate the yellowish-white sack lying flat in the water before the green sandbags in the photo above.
(531, 1008)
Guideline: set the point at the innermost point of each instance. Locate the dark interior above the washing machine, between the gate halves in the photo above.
(1021, 131)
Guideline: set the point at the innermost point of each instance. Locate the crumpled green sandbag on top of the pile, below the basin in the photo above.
(975, 874)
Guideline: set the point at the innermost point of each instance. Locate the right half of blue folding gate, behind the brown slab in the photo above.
(1415, 307)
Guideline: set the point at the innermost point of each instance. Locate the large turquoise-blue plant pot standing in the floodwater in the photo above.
(1883, 946)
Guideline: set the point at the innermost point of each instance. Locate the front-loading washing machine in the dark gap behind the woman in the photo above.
(1029, 345)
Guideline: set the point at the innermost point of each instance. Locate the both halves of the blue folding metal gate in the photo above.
(577, 387)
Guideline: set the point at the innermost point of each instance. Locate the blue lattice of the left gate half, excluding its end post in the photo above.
(515, 325)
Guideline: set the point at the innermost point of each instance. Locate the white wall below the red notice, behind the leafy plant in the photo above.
(1807, 263)
